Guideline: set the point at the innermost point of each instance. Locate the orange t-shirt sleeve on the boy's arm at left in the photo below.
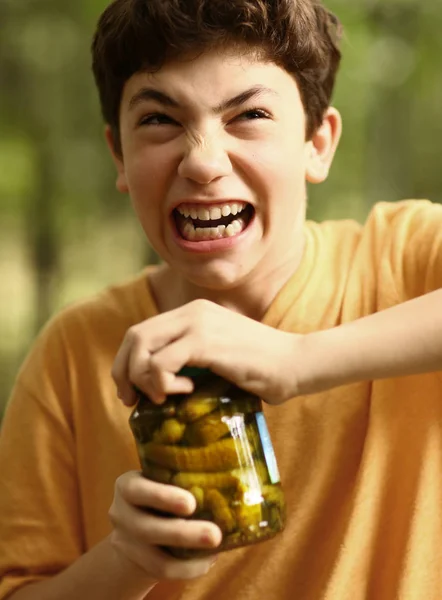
(40, 513)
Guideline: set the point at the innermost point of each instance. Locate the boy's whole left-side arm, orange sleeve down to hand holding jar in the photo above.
(42, 535)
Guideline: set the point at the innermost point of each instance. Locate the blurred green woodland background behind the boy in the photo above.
(65, 232)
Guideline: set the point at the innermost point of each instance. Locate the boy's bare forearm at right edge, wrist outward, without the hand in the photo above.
(400, 341)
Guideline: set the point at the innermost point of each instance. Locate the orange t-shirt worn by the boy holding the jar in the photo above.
(361, 465)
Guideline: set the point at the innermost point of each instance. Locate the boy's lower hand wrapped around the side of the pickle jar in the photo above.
(138, 533)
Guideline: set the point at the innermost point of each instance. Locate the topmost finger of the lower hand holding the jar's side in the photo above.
(142, 492)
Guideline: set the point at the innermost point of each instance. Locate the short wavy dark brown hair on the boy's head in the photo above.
(299, 35)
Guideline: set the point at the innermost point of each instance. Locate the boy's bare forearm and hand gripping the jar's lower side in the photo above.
(128, 564)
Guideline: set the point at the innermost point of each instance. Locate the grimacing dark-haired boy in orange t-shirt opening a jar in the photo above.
(217, 115)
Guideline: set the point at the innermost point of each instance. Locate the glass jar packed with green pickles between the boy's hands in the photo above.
(214, 442)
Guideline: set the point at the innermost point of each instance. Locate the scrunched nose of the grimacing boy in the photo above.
(205, 160)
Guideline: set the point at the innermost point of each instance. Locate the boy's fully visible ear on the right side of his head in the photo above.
(322, 147)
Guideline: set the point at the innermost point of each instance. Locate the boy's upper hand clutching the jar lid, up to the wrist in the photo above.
(255, 357)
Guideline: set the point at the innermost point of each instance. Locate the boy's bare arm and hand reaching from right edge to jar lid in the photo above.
(276, 365)
